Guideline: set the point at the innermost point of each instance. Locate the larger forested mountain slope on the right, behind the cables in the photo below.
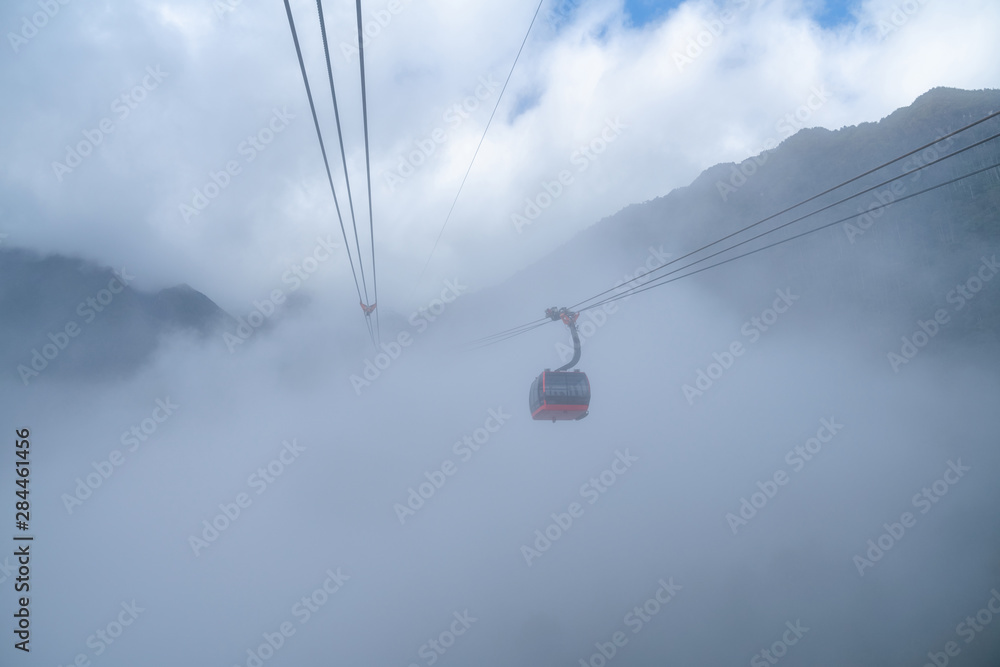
(895, 259)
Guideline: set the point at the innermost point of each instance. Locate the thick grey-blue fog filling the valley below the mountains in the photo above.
(681, 469)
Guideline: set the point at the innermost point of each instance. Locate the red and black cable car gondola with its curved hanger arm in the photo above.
(562, 394)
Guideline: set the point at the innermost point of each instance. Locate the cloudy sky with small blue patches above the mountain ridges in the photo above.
(584, 64)
